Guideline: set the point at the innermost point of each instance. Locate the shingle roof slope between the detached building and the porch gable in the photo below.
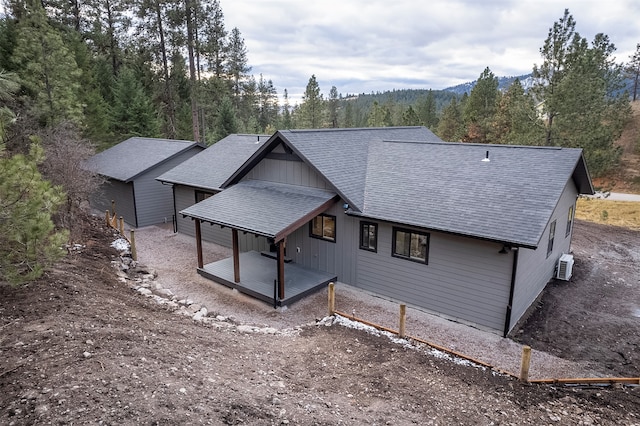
(210, 168)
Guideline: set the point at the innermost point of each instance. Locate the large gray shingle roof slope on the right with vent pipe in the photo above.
(446, 186)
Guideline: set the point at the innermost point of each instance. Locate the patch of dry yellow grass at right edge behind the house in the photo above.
(618, 213)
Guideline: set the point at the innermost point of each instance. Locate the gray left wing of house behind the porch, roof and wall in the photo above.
(203, 175)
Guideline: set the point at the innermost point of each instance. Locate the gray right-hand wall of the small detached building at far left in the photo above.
(154, 201)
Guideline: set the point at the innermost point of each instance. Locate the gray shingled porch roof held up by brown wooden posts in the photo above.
(270, 209)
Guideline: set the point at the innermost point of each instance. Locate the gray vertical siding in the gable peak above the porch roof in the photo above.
(284, 171)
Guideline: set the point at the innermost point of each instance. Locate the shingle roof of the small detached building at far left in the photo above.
(134, 156)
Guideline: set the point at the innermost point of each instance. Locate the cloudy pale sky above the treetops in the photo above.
(364, 46)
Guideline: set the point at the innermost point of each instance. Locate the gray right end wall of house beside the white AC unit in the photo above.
(535, 269)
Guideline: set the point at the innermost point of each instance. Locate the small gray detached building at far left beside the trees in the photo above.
(130, 169)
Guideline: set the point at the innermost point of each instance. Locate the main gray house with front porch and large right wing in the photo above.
(471, 232)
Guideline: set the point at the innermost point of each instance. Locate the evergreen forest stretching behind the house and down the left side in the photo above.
(80, 76)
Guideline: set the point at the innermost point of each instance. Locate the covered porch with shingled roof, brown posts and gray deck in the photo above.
(271, 210)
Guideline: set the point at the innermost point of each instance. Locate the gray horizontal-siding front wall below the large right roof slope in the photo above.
(465, 279)
